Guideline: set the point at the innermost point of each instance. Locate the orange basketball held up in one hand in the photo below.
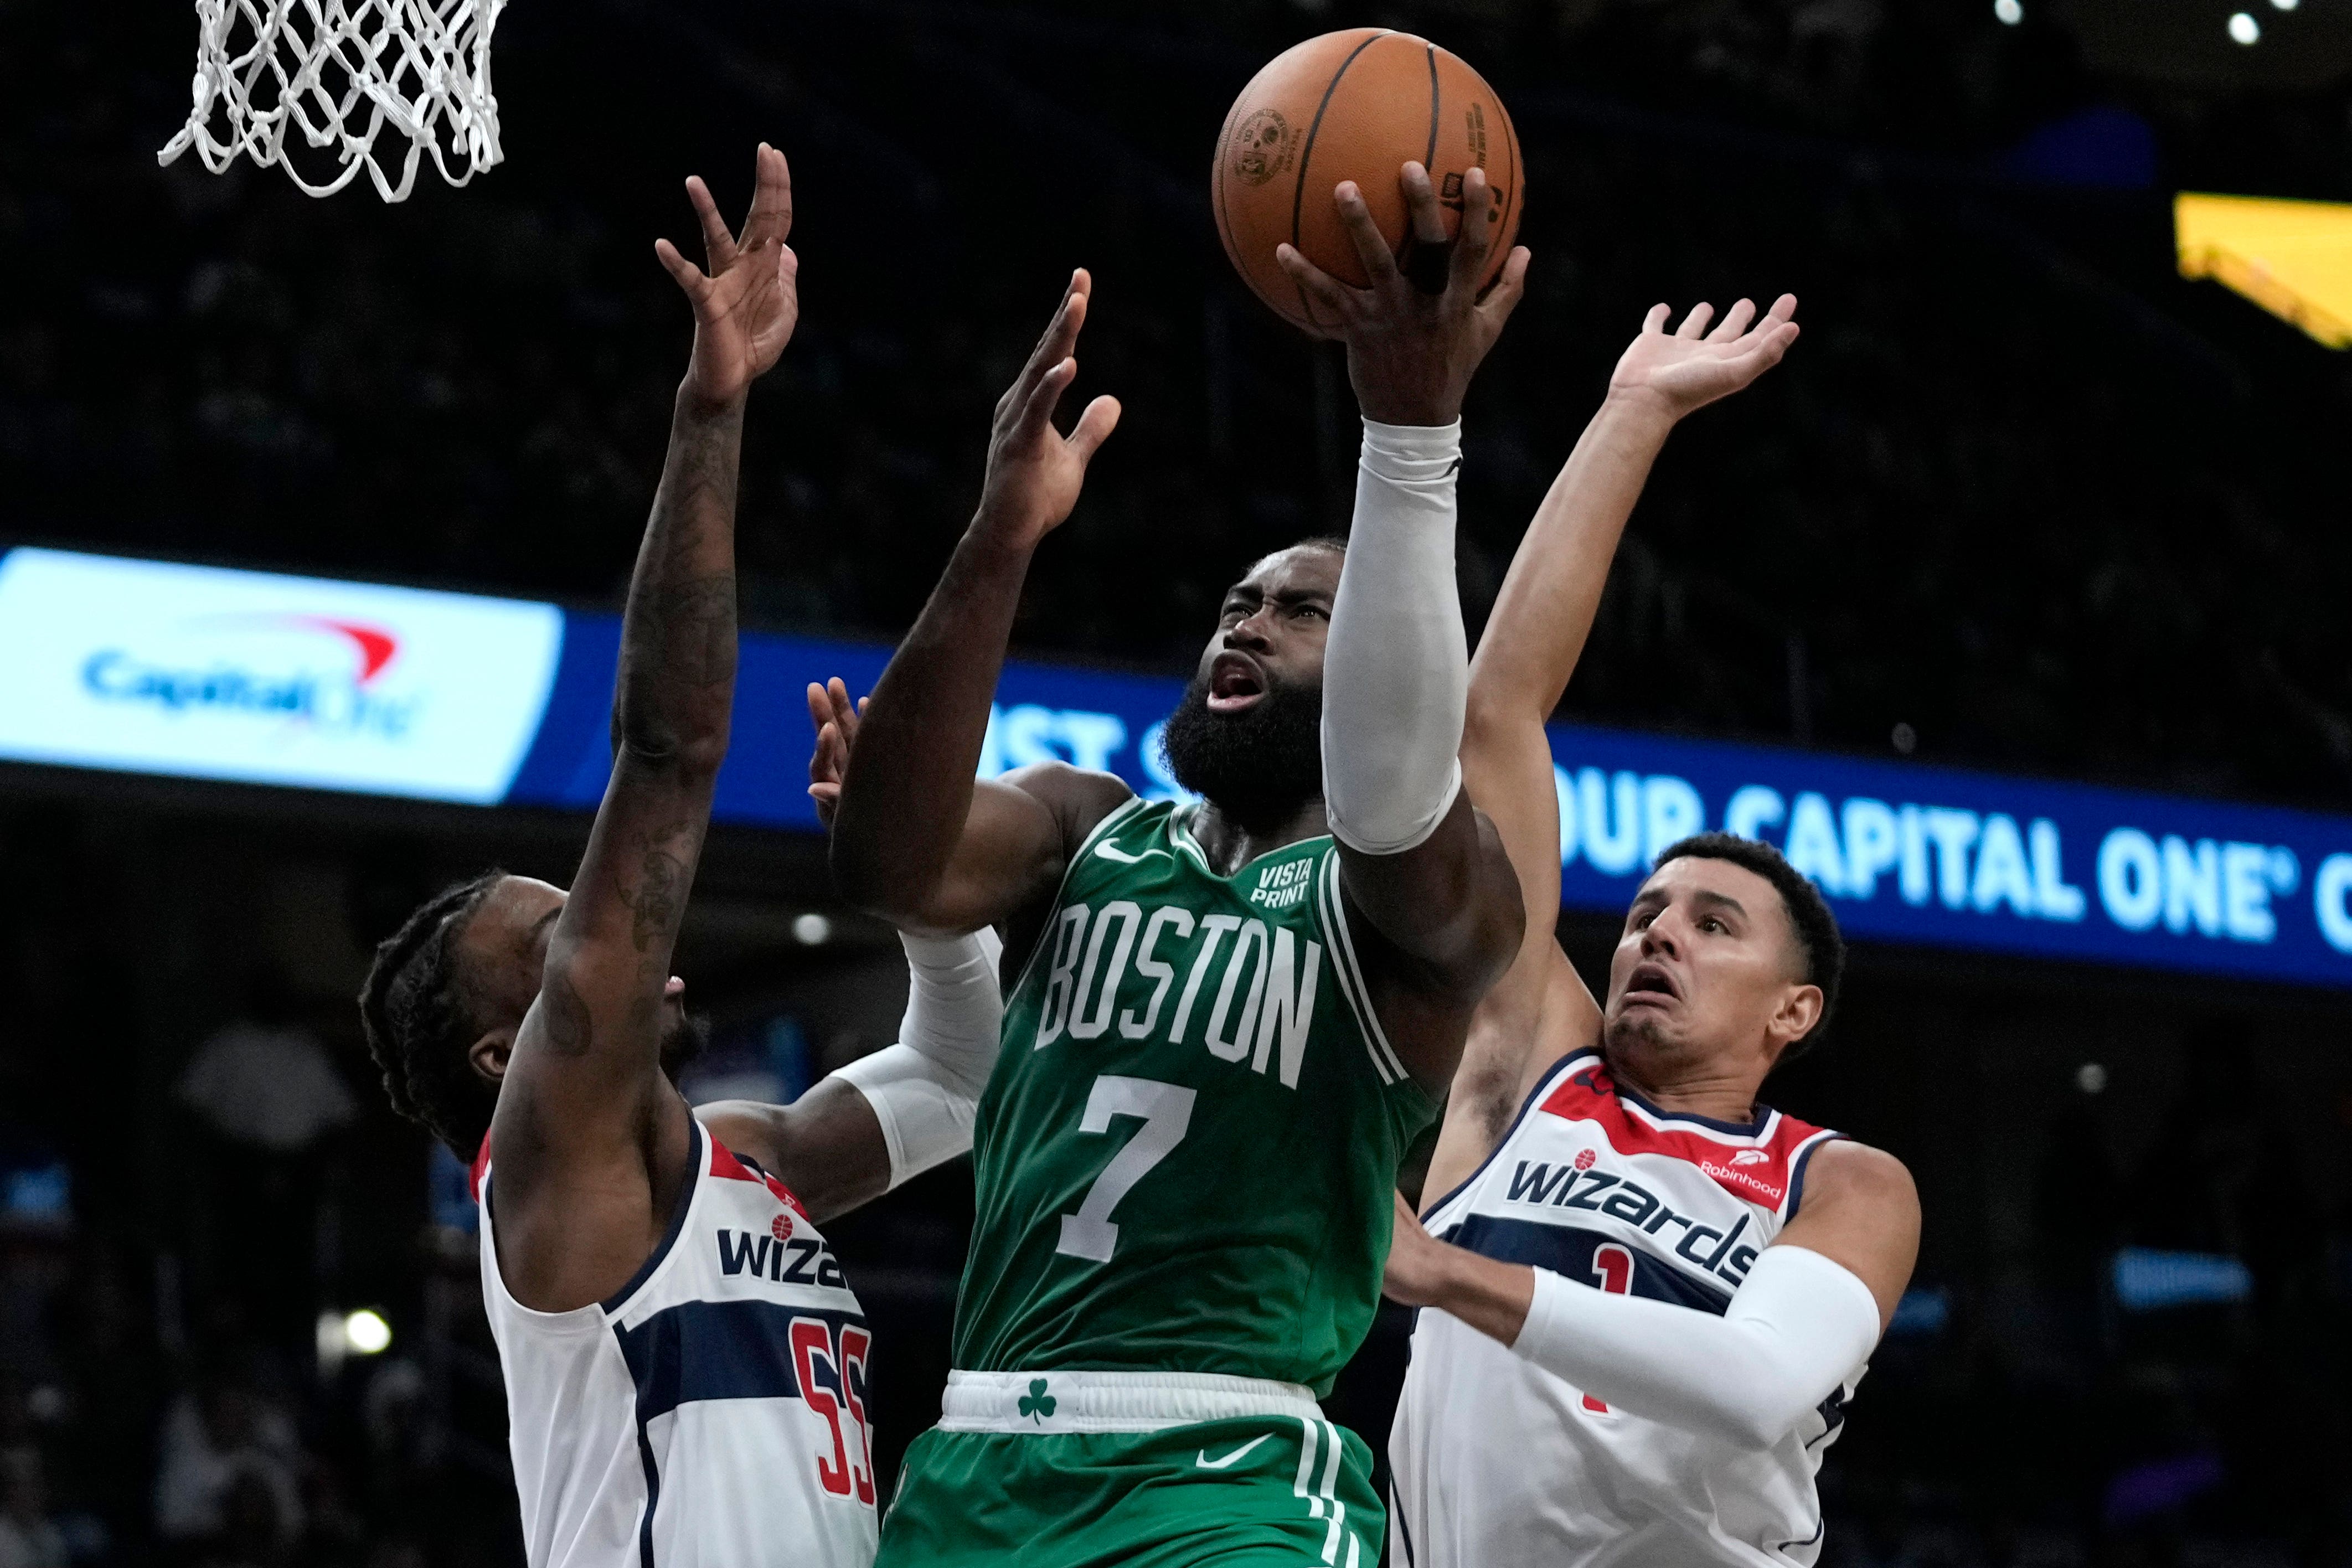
(1354, 105)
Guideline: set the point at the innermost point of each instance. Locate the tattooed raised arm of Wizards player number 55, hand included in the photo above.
(592, 1141)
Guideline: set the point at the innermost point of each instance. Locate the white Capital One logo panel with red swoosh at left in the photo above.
(262, 678)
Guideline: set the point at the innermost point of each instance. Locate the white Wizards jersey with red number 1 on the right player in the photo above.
(1495, 1459)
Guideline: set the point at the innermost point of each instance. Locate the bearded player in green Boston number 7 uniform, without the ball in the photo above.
(1231, 1017)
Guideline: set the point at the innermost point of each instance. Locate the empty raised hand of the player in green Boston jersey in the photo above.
(1034, 469)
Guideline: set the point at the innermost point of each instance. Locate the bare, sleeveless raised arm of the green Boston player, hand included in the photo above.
(916, 840)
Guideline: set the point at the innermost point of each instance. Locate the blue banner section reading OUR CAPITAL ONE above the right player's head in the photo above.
(1953, 859)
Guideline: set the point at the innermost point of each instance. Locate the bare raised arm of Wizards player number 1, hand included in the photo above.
(1523, 669)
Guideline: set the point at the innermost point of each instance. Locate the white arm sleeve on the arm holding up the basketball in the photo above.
(1398, 666)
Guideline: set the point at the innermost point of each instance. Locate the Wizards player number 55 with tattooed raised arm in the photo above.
(686, 1365)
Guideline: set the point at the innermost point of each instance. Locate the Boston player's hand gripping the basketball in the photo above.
(1410, 351)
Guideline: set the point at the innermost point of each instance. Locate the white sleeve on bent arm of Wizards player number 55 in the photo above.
(928, 1085)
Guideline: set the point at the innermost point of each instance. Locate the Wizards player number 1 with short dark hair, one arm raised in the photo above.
(1641, 1343)
